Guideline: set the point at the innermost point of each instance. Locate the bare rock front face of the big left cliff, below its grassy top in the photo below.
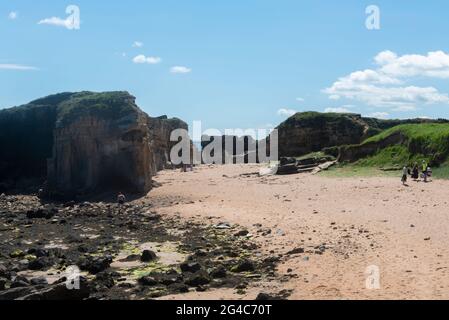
(92, 153)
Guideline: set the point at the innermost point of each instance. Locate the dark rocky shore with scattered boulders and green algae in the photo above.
(130, 252)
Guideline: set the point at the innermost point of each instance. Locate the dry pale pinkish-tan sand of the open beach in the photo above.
(361, 222)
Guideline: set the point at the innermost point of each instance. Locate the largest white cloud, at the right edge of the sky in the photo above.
(385, 86)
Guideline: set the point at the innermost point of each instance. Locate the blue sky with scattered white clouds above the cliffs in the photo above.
(241, 64)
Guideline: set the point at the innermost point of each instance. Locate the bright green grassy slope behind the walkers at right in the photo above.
(398, 146)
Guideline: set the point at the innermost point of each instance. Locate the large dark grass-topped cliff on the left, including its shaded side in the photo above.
(85, 142)
